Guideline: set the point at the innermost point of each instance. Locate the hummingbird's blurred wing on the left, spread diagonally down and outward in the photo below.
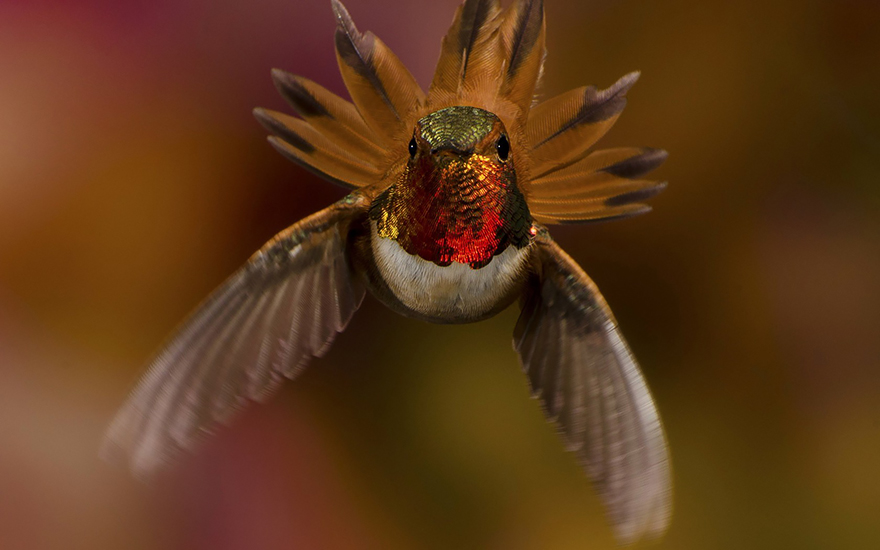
(263, 324)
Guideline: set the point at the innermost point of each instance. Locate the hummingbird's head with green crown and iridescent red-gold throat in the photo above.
(457, 199)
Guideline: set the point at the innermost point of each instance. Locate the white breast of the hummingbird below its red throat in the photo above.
(454, 290)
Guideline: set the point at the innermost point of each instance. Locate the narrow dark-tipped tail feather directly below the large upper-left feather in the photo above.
(338, 120)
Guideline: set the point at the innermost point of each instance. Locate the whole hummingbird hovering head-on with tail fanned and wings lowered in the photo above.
(451, 193)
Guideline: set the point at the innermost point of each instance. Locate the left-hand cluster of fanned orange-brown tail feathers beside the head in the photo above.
(354, 144)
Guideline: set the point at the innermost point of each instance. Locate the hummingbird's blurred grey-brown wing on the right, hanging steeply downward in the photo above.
(583, 371)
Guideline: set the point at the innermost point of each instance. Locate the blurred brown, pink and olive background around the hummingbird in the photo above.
(133, 179)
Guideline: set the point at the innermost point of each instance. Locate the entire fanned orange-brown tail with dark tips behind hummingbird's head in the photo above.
(491, 59)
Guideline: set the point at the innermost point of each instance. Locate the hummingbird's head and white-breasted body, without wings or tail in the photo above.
(449, 239)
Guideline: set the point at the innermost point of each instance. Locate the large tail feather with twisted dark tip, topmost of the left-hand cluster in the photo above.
(381, 87)
